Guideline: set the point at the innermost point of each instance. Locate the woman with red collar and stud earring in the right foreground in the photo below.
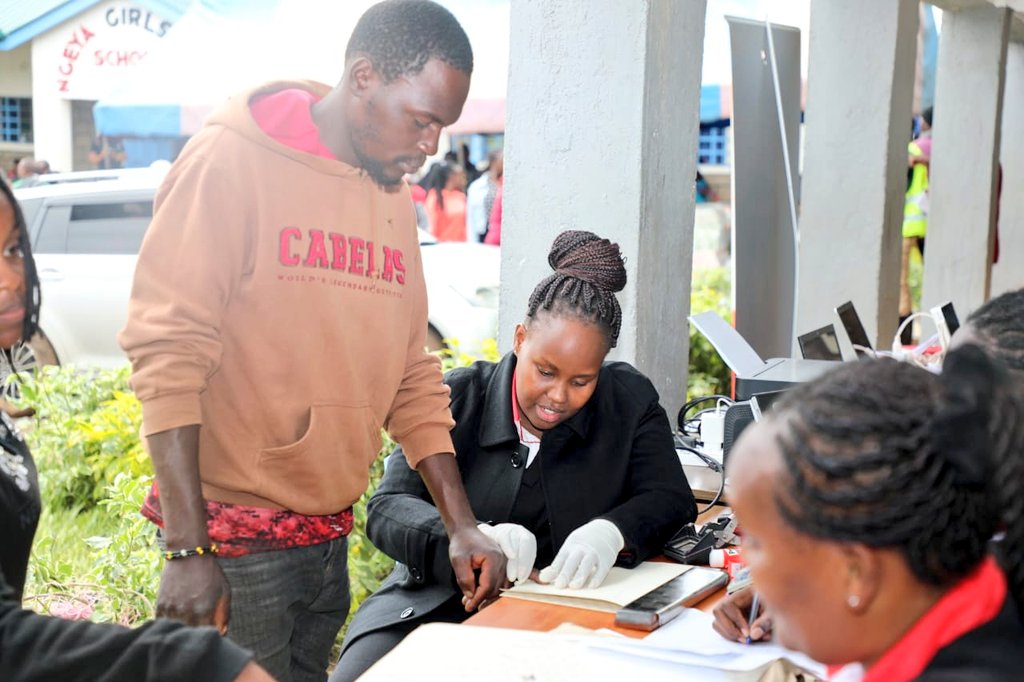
(868, 501)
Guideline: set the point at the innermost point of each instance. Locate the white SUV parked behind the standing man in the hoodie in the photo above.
(87, 231)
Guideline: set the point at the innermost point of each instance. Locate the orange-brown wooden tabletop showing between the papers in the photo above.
(524, 615)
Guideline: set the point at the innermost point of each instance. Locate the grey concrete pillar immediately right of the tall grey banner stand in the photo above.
(860, 92)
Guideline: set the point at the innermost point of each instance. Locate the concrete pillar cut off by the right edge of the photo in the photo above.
(1008, 275)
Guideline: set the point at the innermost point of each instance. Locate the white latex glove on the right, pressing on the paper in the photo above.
(587, 557)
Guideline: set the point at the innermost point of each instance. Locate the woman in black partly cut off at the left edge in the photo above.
(40, 648)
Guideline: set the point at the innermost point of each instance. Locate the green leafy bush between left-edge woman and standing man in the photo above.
(94, 548)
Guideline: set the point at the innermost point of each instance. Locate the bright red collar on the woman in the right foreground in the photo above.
(973, 603)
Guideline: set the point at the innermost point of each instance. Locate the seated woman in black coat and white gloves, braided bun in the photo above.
(569, 462)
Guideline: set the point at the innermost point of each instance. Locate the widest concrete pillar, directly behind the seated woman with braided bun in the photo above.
(602, 134)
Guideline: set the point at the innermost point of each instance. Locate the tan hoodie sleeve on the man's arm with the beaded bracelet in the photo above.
(194, 253)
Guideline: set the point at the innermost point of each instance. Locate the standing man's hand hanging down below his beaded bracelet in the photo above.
(195, 591)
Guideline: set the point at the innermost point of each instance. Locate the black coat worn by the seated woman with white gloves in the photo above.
(614, 460)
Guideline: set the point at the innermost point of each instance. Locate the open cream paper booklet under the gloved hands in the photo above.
(620, 588)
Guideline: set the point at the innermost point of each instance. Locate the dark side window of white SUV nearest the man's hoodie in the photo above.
(108, 229)
